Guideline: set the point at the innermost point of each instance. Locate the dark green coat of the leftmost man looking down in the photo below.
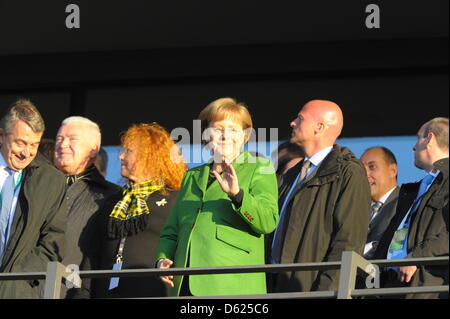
(37, 233)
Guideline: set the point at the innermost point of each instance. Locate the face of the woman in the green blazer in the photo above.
(226, 139)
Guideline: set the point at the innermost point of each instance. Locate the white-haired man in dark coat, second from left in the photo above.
(77, 144)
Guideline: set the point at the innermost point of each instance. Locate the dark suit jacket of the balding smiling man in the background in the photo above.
(380, 223)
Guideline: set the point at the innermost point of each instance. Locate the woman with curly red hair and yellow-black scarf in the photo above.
(129, 224)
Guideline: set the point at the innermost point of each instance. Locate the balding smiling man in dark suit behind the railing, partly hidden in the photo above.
(381, 168)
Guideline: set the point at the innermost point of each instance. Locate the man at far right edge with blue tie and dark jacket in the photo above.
(420, 226)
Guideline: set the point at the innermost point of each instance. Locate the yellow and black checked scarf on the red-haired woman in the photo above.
(133, 203)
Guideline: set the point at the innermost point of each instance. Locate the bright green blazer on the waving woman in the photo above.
(206, 227)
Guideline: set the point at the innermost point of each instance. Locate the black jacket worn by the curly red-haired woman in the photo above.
(139, 253)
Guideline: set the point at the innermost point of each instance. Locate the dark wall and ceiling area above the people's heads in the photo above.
(161, 60)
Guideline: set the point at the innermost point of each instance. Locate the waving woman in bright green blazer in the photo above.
(222, 211)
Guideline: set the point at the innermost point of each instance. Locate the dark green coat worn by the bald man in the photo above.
(328, 215)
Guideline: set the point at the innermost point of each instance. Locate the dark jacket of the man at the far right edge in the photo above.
(428, 232)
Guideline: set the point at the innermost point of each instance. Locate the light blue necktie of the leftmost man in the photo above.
(6, 204)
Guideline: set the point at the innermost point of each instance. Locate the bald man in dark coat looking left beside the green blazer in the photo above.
(325, 202)
